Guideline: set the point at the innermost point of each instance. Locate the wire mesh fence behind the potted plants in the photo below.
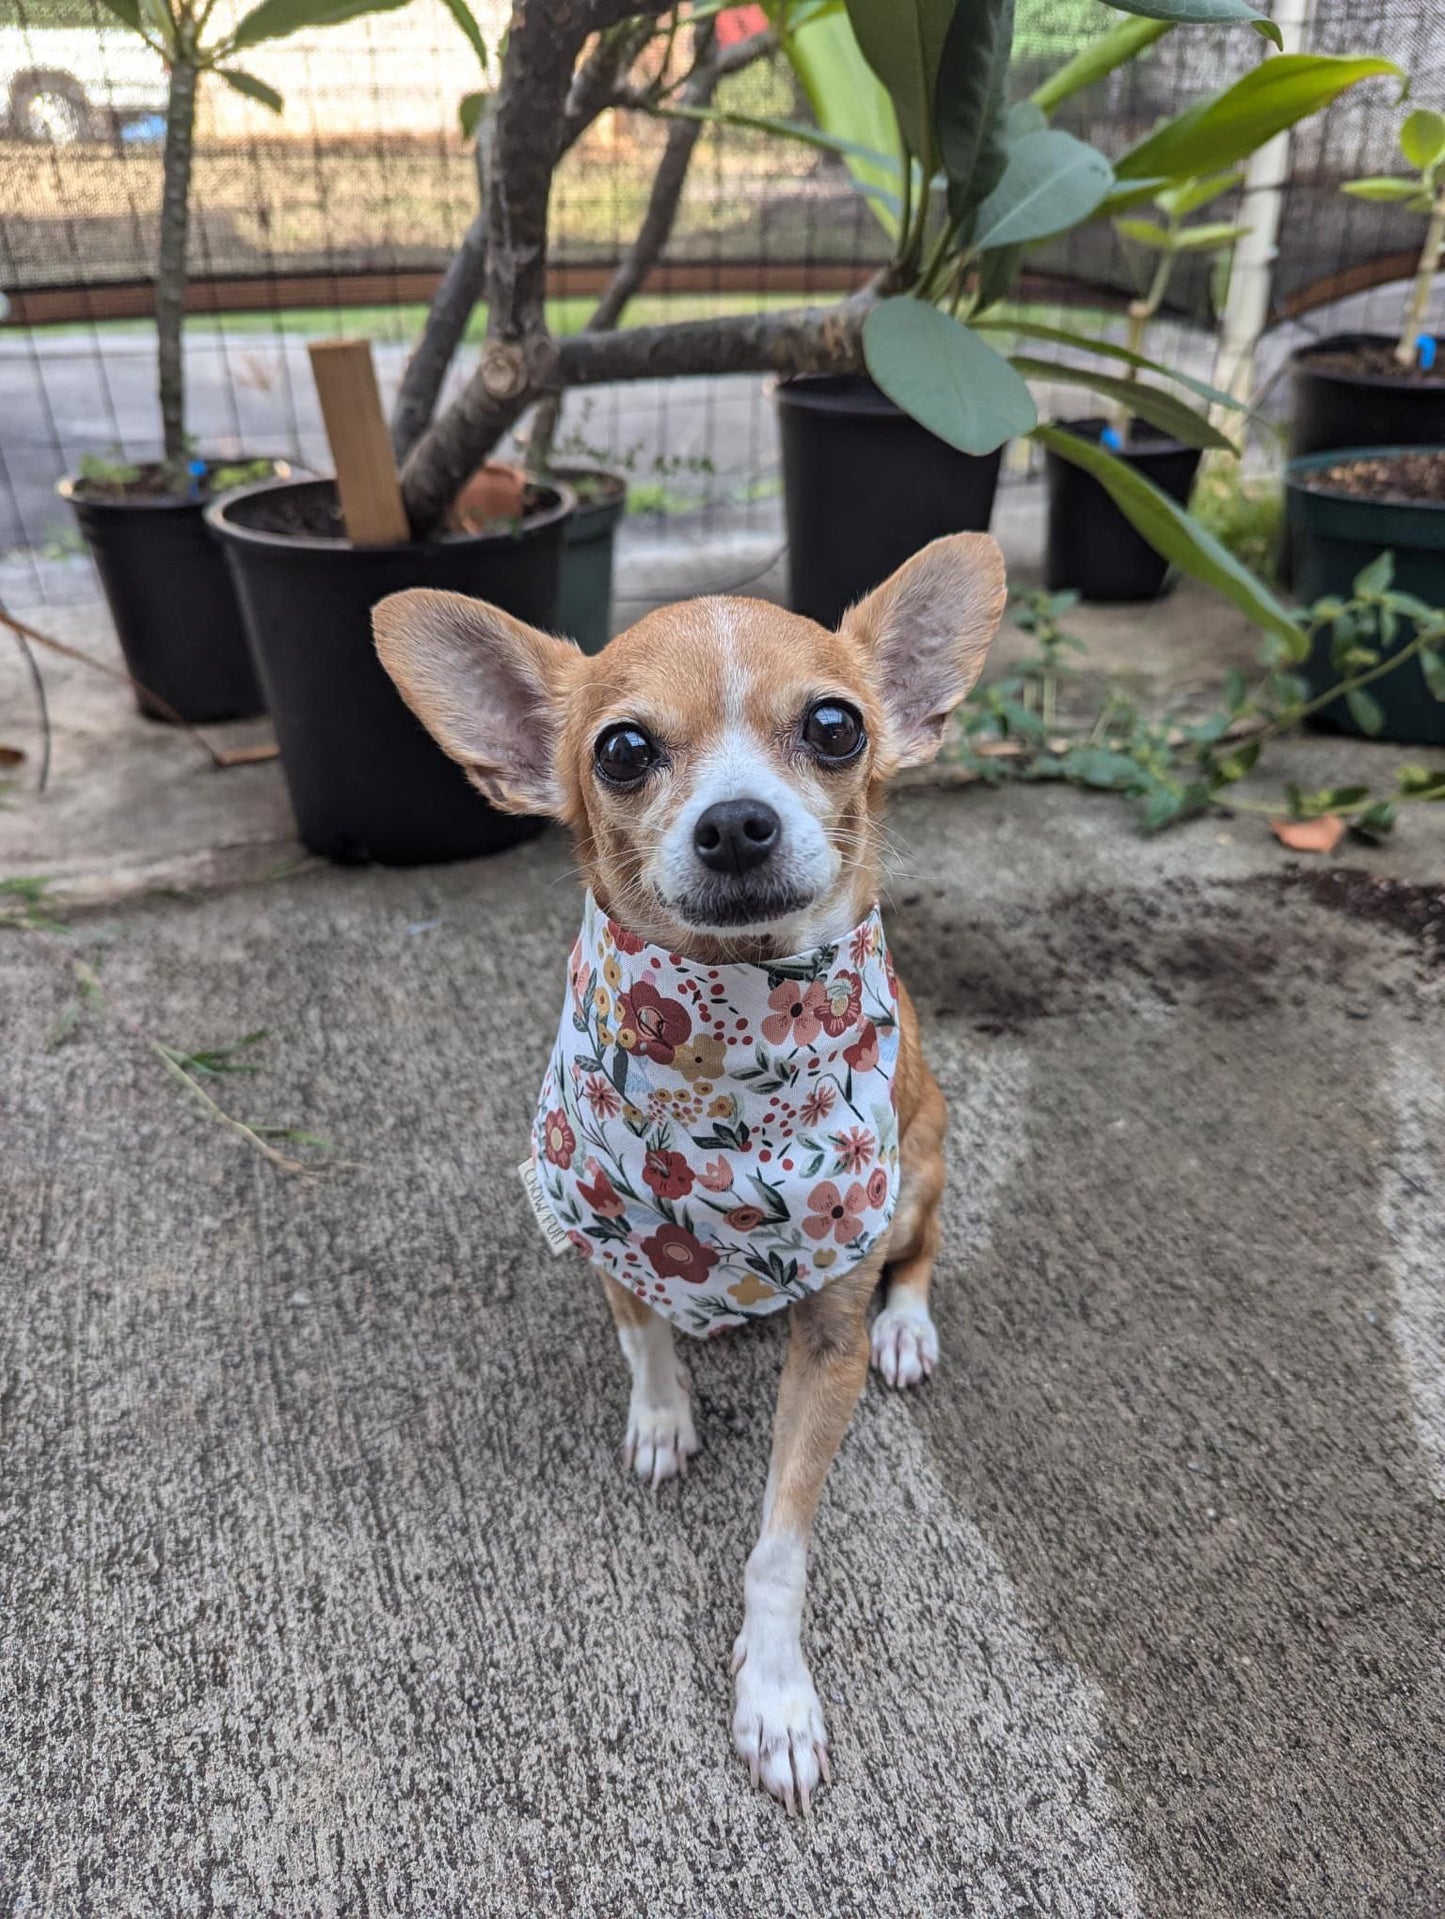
(341, 216)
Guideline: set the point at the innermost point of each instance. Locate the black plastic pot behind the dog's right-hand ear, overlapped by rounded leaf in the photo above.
(865, 488)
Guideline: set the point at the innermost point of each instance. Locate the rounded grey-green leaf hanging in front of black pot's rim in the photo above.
(945, 377)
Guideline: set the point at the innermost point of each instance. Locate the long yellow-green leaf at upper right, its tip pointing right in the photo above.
(1225, 130)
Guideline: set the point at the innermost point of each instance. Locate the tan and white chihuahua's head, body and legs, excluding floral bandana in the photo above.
(722, 769)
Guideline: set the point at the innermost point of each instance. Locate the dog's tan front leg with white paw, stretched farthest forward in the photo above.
(778, 1724)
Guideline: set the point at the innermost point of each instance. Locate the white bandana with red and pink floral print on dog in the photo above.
(722, 1141)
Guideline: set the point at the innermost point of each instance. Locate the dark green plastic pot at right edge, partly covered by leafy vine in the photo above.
(1333, 538)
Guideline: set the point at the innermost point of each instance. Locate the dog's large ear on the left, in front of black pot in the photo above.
(486, 688)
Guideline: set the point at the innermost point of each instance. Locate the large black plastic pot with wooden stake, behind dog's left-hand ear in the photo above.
(366, 780)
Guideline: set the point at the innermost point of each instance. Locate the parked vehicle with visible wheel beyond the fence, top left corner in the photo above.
(72, 72)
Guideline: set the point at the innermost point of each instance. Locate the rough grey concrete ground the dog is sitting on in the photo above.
(321, 1584)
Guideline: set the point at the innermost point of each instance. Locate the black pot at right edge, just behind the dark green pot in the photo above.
(1335, 408)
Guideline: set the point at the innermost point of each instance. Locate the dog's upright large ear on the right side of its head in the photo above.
(926, 632)
